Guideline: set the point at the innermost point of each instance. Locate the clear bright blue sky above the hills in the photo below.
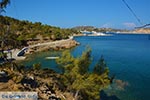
(71, 13)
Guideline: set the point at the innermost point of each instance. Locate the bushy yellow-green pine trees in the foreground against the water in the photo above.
(76, 77)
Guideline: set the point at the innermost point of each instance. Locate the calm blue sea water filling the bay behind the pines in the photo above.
(127, 56)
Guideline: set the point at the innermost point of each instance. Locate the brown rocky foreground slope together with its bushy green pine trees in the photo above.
(75, 81)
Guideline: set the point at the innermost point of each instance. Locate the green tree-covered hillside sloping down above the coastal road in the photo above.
(18, 33)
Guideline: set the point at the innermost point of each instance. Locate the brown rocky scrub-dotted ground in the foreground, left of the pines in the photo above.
(43, 81)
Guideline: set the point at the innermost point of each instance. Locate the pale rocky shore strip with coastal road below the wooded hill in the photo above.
(39, 46)
